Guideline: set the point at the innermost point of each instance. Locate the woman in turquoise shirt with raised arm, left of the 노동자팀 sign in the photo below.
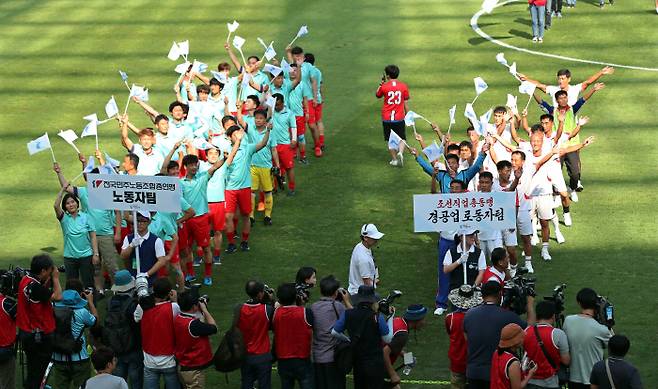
(80, 246)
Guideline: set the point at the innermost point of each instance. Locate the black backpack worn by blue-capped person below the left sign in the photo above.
(117, 331)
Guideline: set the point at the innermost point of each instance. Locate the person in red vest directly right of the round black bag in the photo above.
(255, 320)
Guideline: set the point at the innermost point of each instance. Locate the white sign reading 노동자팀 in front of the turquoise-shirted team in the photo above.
(134, 193)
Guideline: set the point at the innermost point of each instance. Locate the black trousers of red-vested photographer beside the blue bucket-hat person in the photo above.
(38, 356)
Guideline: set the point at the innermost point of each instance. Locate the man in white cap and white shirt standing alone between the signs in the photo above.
(363, 270)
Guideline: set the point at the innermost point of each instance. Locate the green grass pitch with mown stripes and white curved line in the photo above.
(60, 62)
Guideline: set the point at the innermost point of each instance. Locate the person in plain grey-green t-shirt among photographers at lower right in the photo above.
(587, 338)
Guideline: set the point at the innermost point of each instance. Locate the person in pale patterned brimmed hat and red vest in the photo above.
(462, 299)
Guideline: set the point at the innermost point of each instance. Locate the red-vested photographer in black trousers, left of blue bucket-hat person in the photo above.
(35, 318)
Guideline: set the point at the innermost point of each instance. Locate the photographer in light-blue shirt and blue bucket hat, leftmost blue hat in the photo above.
(74, 313)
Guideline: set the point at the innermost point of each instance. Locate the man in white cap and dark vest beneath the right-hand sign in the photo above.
(465, 256)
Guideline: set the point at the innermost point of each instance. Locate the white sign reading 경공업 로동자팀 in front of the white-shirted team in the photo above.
(446, 212)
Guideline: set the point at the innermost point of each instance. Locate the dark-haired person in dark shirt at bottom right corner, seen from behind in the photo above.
(614, 371)
